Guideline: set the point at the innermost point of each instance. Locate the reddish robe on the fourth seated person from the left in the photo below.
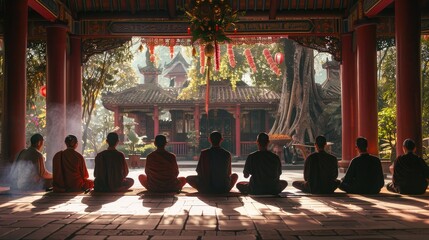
(162, 171)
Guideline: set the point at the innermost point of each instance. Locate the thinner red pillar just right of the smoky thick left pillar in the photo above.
(74, 90)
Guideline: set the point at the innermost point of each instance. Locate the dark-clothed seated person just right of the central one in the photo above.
(265, 168)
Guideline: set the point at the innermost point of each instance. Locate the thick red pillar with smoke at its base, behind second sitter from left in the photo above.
(56, 95)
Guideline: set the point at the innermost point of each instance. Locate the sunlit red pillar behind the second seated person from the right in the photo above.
(367, 84)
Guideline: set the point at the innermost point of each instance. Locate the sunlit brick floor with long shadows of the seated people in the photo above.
(294, 215)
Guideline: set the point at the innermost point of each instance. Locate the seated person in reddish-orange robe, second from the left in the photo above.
(69, 169)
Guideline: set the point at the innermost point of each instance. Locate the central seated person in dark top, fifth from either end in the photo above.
(214, 169)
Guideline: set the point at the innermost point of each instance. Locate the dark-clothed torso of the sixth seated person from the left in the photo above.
(265, 170)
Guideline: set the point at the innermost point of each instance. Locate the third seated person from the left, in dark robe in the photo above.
(111, 169)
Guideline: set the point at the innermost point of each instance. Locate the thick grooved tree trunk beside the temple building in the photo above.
(300, 102)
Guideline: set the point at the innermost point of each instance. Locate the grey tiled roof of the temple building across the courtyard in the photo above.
(145, 94)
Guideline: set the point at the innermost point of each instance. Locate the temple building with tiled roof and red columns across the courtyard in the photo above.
(238, 114)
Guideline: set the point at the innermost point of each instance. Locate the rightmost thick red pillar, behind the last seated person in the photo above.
(408, 74)
